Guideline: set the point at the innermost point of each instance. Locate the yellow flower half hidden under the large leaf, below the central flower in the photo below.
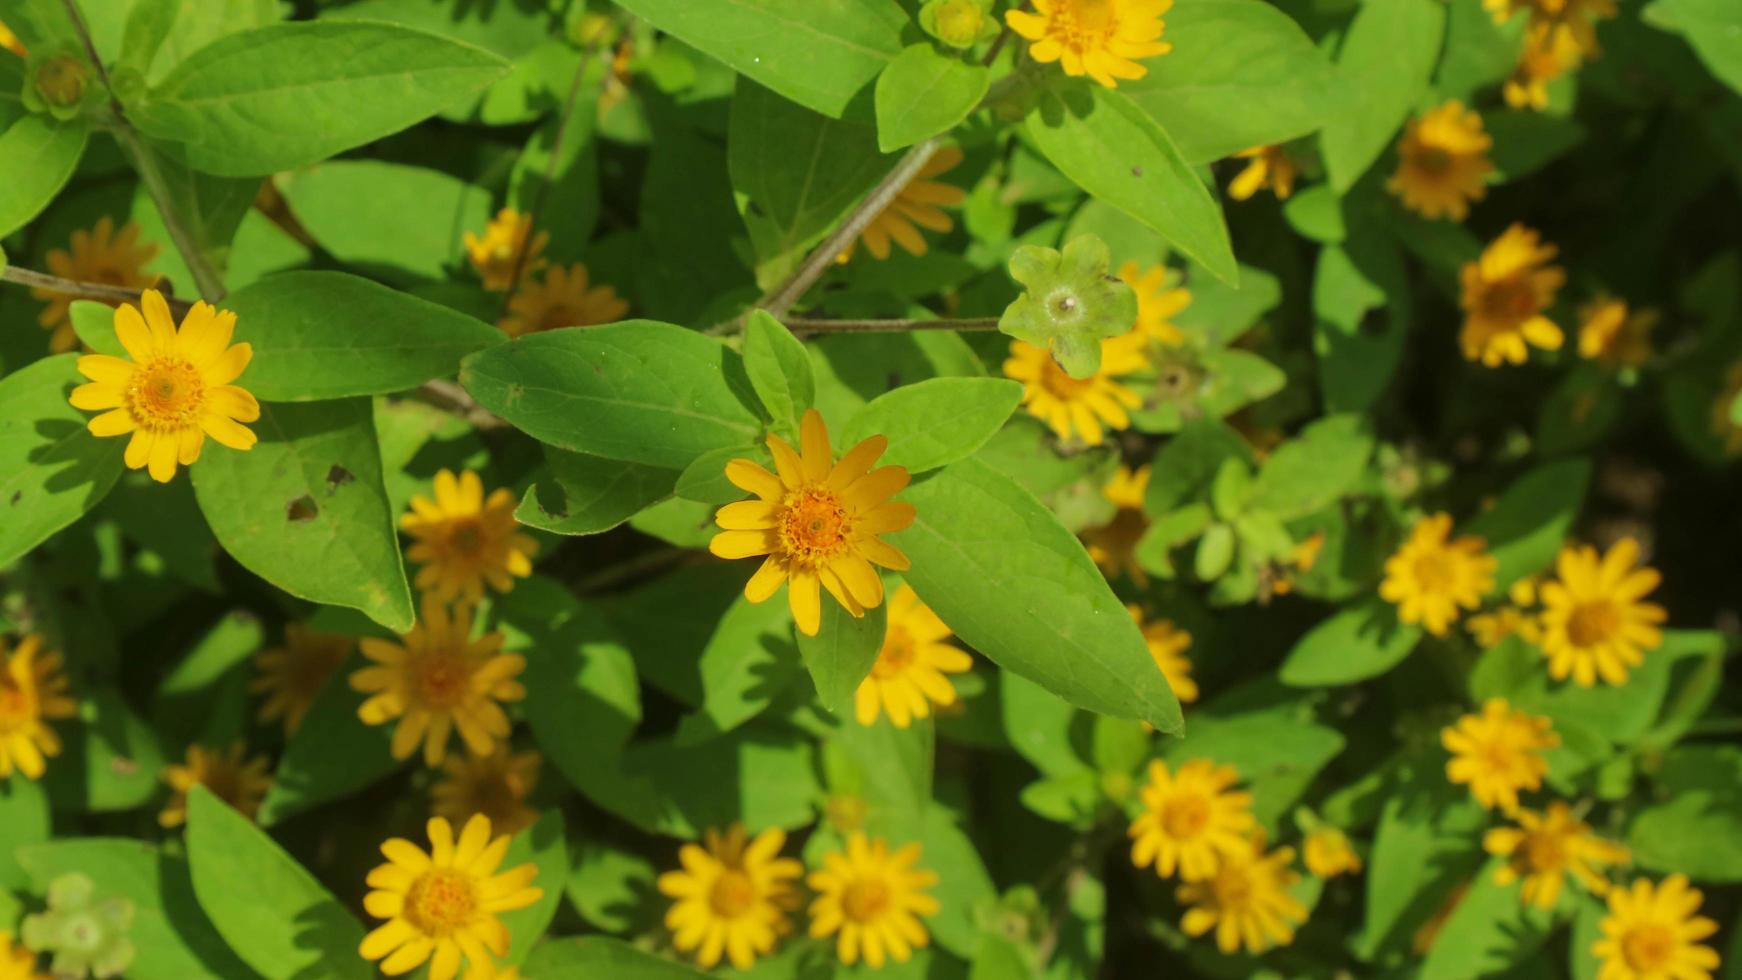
(910, 671)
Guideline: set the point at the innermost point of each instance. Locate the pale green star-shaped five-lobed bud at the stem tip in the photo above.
(1070, 304)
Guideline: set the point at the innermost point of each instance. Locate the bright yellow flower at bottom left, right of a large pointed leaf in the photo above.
(443, 906)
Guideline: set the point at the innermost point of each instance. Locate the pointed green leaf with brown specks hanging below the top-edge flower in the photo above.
(1116, 152)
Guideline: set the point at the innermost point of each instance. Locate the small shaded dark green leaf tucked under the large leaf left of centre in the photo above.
(586, 495)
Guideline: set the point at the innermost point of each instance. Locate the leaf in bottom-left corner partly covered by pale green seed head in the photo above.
(170, 932)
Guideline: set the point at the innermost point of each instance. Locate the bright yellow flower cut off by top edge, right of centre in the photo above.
(1100, 39)
